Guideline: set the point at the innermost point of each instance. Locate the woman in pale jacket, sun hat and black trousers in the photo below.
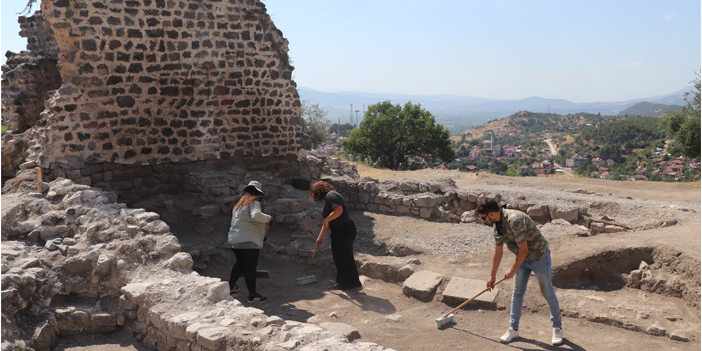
(246, 234)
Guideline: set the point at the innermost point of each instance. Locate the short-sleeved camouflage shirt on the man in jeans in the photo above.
(518, 227)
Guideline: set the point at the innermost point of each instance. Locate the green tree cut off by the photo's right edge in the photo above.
(684, 125)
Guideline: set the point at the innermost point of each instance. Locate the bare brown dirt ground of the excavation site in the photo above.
(384, 315)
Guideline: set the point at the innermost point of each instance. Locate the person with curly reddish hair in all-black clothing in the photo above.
(343, 234)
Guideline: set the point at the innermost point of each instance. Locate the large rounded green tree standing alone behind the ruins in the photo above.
(399, 138)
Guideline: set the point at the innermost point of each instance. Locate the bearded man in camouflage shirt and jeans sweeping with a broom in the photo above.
(518, 231)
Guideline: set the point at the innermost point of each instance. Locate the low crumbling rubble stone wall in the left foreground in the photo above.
(102, 267)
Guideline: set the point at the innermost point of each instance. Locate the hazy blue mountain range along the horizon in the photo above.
(461, 112)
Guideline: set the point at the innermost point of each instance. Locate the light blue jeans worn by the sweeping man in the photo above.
(542, 269)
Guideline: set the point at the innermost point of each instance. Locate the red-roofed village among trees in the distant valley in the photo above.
(535, 158)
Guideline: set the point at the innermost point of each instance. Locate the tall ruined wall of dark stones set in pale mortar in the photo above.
(154, 88)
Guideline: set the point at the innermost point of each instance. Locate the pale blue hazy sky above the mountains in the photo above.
(582, 51)
